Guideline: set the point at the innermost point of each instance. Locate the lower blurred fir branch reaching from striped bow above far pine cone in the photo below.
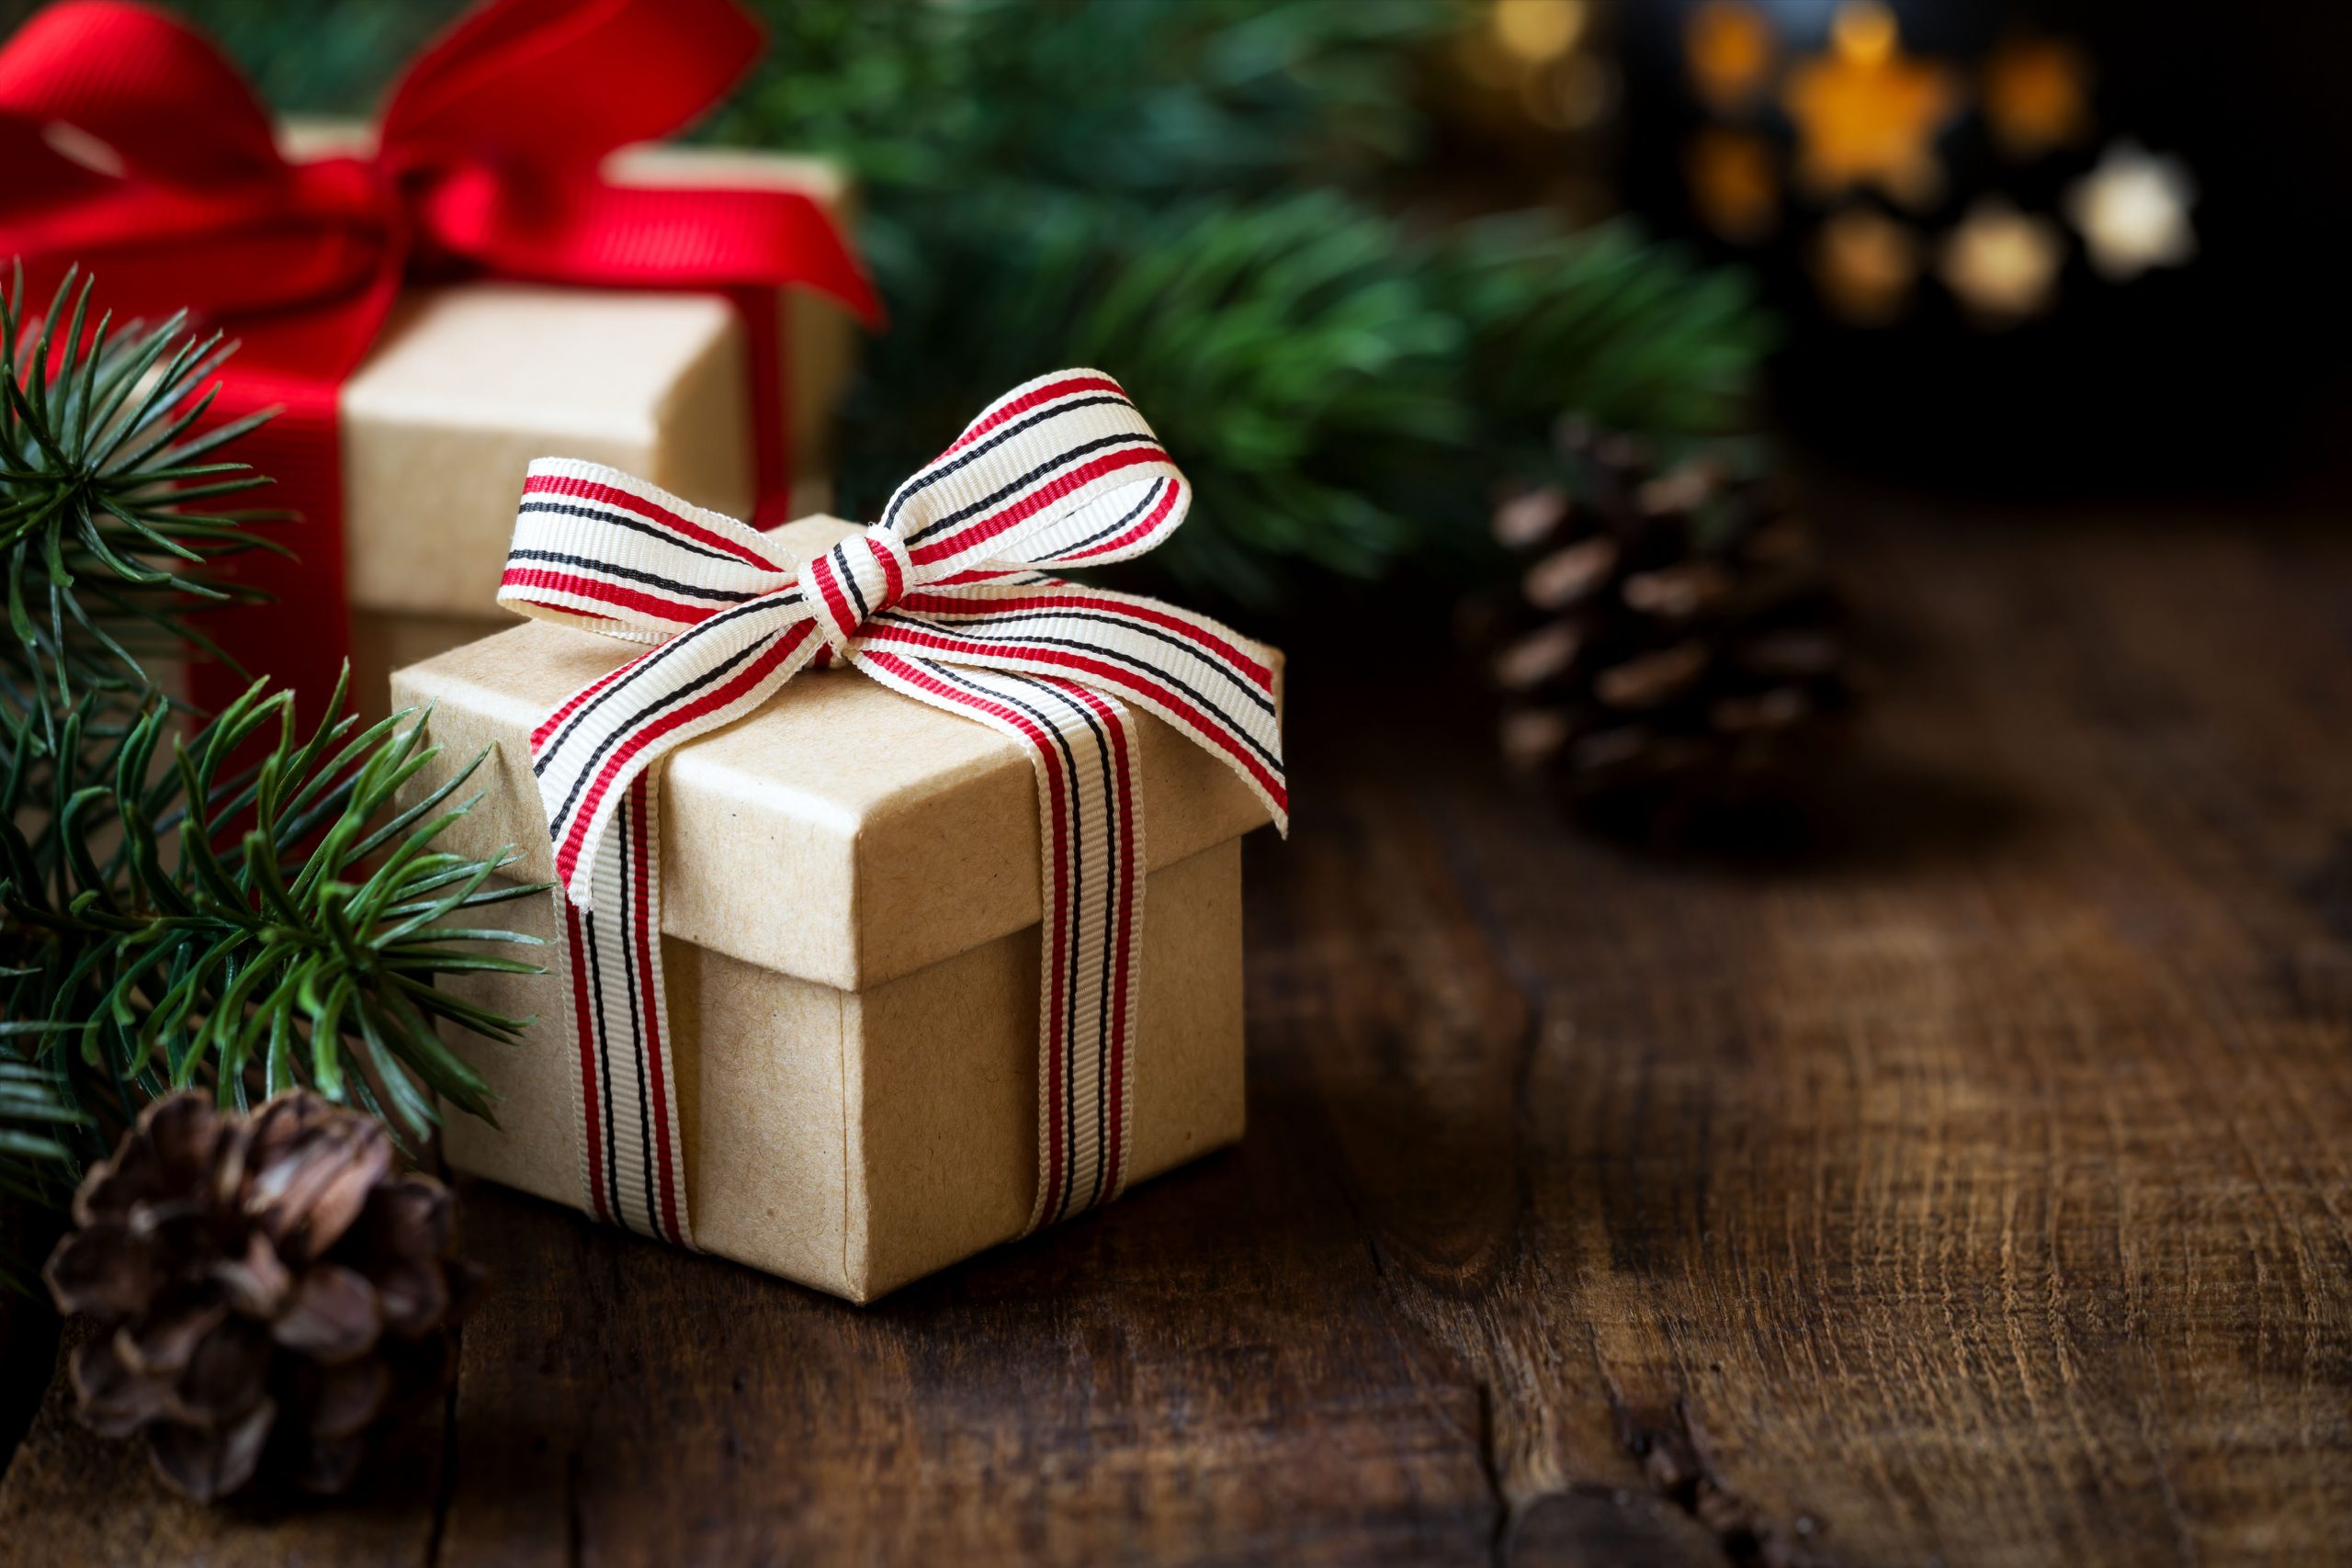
(1339, 389)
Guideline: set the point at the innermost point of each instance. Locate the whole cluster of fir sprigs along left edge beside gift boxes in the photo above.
(246, 909)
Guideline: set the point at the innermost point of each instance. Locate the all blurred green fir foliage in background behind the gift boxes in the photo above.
(1201, 199)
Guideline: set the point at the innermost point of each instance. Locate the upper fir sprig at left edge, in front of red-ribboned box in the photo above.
(105, 490)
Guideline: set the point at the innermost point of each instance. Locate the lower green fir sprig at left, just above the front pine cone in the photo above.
(295, 939)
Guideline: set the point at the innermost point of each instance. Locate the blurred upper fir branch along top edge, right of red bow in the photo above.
(1158, 102)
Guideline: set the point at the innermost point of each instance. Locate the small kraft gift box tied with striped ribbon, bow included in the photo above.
(930, 932)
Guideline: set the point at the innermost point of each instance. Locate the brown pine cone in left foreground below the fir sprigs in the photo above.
(269, 1294)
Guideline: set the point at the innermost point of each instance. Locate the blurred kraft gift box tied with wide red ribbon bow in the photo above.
(505, 264)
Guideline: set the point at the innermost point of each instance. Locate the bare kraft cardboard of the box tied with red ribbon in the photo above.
(469, 382)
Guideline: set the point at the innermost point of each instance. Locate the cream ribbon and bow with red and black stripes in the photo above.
(947, 601)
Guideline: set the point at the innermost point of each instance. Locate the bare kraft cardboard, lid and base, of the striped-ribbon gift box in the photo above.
(850, 944)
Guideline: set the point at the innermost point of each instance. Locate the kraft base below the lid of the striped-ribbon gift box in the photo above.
(855, 1141)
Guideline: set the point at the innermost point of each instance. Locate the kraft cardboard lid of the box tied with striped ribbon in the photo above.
(843, 833)
